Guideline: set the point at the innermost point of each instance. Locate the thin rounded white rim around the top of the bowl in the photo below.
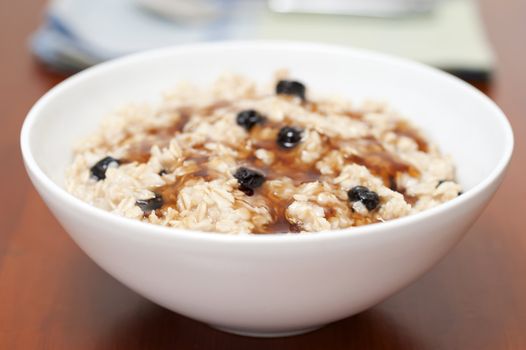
(159, 231)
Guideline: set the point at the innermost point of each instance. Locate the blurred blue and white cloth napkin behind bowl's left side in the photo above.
(77, 33)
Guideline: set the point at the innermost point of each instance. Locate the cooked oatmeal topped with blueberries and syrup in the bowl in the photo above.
(242, 159)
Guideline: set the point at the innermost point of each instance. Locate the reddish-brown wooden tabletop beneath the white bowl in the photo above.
(52, 296)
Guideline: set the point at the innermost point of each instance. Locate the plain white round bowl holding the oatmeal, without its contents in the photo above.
(270, 285)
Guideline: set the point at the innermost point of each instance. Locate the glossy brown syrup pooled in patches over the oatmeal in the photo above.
(287, 163)
